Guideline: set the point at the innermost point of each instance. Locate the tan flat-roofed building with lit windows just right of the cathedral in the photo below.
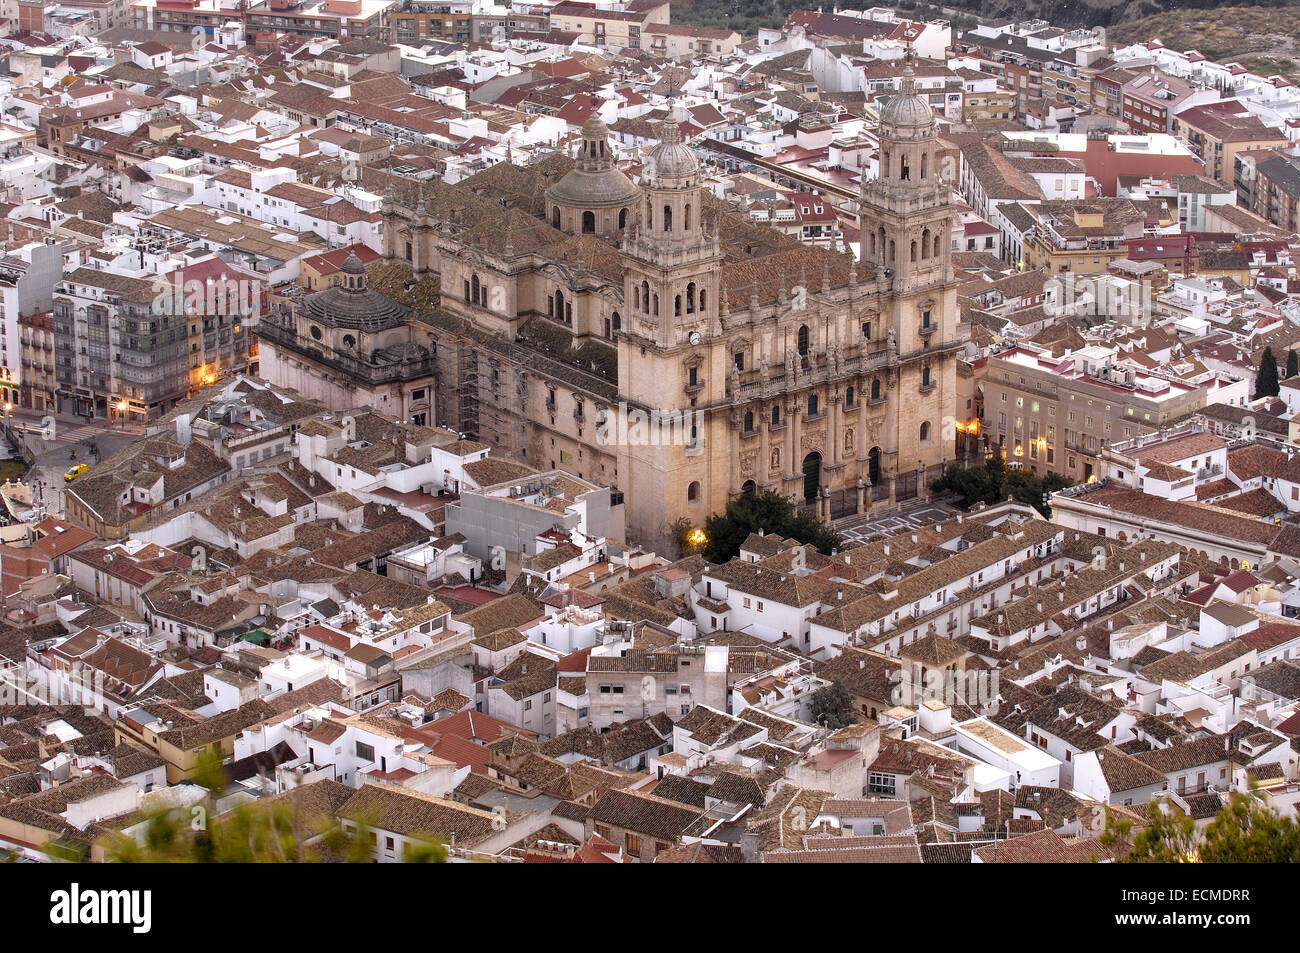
(1056, 415)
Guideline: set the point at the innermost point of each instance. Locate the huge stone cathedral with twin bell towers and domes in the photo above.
(578, 305)
